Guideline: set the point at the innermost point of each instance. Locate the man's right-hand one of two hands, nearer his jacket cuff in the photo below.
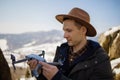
(48, 70)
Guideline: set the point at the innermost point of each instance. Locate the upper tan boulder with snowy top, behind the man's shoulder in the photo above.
(110, 41)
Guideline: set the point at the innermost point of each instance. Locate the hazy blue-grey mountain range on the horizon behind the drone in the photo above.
(15, 41)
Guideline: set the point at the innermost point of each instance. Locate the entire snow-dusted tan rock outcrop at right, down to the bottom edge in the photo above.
(110, 41)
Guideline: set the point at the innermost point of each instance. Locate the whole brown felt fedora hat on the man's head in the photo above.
(80, 16)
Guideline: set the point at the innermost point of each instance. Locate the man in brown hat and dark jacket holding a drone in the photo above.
(82, 59)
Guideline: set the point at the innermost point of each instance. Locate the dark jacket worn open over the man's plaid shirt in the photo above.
(94, 64)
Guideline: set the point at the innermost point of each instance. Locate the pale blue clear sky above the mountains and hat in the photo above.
(20, 16)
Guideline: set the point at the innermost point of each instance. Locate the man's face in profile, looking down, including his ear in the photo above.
(72, 33)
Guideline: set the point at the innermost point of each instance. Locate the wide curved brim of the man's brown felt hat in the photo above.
(90, 29)
